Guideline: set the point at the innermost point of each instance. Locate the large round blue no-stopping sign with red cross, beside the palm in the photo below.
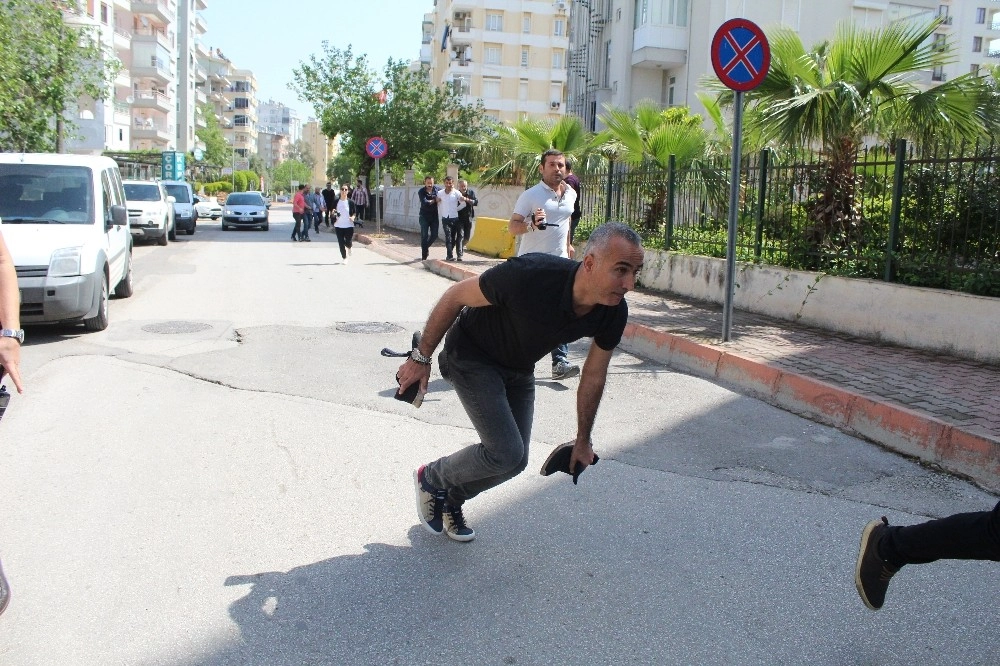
(741, 54)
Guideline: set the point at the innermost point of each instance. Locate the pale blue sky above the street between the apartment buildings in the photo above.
(265, 37)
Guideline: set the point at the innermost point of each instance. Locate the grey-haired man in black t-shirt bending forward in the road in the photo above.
(498, 325)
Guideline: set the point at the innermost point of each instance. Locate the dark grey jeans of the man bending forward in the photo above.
(500, 403)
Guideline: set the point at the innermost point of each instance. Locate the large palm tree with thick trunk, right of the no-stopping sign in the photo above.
(863, 84)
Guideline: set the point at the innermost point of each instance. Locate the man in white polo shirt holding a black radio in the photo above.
(541, 221)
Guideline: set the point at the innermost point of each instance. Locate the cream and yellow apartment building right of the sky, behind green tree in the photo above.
(511, 54)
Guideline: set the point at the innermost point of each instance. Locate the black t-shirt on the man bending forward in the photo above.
(531, 313)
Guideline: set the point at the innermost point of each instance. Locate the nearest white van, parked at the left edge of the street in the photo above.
(65, 222)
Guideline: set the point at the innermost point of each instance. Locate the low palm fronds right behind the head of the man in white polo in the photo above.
(512, 151)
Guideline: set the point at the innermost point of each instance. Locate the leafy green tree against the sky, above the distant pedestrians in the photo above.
(401, 106)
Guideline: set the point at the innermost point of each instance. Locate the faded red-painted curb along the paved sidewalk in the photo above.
(897, 428)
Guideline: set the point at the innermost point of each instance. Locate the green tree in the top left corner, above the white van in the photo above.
(46, 68)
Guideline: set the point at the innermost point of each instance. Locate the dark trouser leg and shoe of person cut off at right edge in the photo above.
(885, 549)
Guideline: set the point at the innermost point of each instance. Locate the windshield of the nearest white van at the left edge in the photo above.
(45, 194)
